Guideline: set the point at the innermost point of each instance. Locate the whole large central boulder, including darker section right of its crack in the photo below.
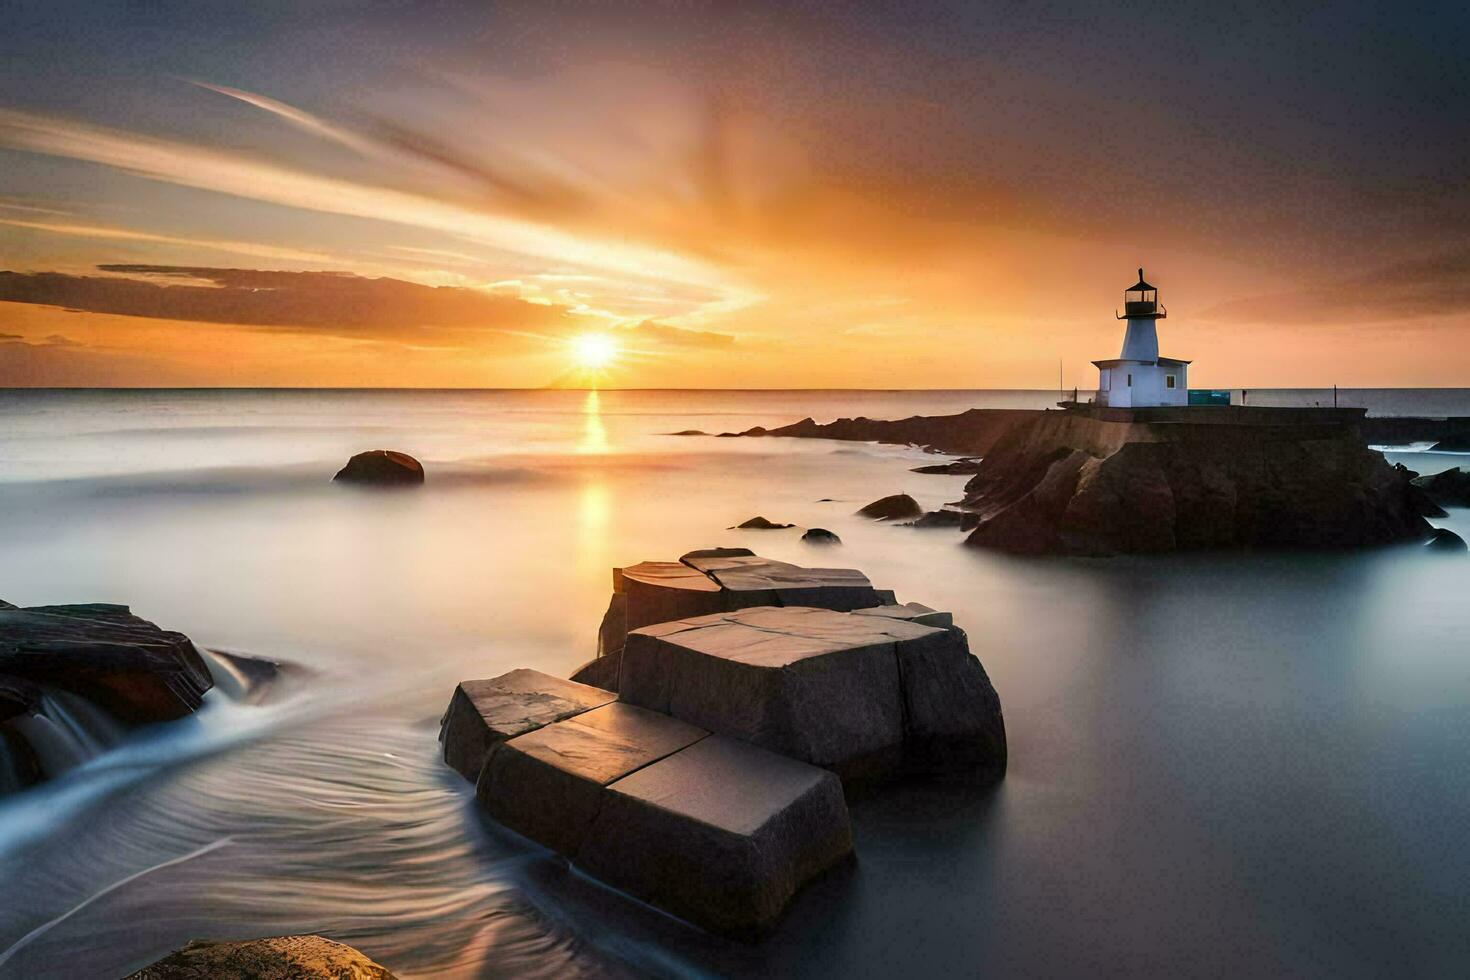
(864, 694)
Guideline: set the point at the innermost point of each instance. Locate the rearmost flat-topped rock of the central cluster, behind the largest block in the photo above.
(714, 581)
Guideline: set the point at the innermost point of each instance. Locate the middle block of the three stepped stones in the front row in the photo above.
(548, 785)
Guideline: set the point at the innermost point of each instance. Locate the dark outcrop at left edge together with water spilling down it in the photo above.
(74, 678)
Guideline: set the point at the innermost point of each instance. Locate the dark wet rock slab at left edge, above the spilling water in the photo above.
(121, 663)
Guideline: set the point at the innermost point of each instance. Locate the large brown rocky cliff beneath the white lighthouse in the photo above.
(1072, 484)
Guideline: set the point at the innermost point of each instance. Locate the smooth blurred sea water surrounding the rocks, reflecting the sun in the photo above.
(1222, 763)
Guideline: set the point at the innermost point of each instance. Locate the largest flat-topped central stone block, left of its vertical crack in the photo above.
(817, 685)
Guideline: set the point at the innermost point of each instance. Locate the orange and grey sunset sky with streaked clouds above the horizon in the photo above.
(811, 195)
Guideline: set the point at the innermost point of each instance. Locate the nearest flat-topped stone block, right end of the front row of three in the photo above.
(721, 834)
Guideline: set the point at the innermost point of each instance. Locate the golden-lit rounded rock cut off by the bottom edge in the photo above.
(279, 959)
